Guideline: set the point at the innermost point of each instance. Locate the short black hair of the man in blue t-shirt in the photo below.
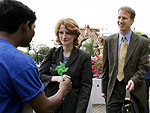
(13, 13)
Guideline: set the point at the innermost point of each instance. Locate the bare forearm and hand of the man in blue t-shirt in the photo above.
(42, 104)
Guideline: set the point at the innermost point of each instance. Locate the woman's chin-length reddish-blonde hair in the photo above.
(71, 26)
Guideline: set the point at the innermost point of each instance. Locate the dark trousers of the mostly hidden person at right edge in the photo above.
(147, 91)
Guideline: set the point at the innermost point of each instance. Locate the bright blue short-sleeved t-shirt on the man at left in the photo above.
(19, 78)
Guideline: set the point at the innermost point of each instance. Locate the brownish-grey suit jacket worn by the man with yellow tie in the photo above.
(136, 65)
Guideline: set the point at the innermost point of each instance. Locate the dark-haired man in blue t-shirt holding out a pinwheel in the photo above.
(19, 77)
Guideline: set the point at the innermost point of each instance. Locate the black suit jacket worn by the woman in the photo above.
(80, 70)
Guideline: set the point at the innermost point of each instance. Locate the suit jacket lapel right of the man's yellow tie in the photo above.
(132, 46)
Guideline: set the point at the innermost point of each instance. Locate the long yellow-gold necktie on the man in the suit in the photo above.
(122, 56)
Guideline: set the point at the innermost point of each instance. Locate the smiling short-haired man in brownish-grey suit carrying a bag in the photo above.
(134, 69)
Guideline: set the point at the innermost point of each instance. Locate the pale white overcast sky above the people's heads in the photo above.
(95, 13)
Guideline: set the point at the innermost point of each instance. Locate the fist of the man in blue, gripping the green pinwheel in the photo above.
(65, 85)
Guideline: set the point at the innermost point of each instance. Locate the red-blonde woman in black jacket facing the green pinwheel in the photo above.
(79, 64)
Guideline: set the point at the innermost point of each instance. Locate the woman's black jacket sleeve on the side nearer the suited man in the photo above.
(85, 87)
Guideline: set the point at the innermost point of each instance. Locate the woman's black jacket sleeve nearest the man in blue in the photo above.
(44, 70)
